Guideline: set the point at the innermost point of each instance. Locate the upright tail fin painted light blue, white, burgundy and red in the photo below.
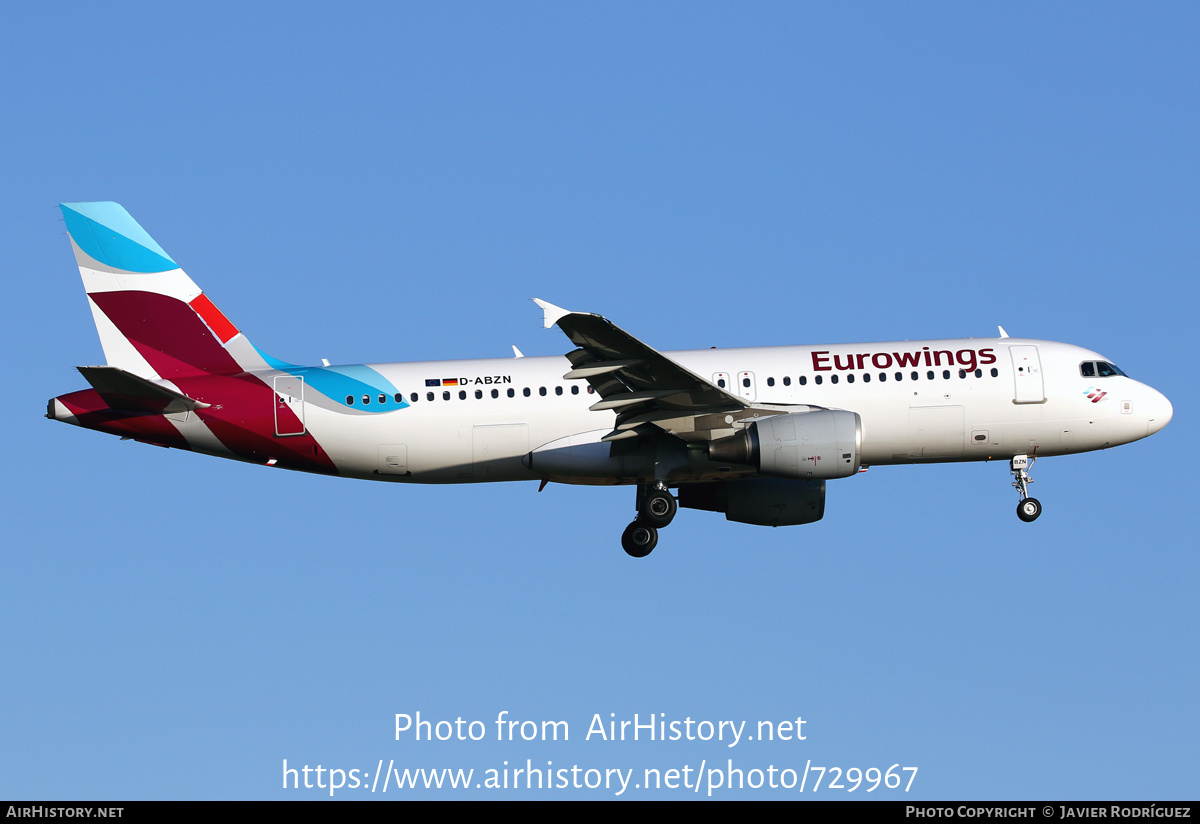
(154, 322)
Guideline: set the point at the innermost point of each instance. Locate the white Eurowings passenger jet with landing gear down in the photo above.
(753, 434)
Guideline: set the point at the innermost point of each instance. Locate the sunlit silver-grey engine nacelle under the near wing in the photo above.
(813, 446)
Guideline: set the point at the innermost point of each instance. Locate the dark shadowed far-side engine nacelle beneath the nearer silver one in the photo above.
(766, 502)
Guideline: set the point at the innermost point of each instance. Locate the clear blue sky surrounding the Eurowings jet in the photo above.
(394, 182)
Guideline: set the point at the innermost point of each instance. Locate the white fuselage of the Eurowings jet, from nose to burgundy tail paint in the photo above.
(964, 400)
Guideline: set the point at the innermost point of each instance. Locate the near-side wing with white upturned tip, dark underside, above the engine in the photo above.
(646, 388)
